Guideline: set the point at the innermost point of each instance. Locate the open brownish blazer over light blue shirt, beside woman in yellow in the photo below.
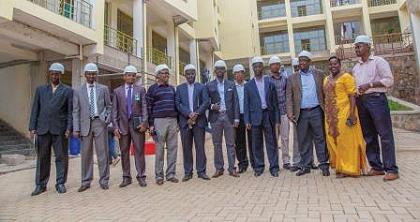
(294, 92)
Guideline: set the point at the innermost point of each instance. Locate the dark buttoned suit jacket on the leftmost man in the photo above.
(52, 112)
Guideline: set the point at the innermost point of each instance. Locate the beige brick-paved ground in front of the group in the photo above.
(287, 198)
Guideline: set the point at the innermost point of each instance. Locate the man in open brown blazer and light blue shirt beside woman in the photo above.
(305, 107)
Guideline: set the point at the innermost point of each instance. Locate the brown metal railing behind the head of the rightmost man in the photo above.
(383, 45)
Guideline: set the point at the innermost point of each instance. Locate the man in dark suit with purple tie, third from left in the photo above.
(129, 119)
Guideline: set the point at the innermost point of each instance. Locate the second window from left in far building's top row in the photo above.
(305, 7)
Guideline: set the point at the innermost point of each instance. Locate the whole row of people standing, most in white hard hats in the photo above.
(343, 116)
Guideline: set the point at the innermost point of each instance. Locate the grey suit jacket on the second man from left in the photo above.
(81, 113)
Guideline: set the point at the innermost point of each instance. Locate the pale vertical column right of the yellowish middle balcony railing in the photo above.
(138, 26)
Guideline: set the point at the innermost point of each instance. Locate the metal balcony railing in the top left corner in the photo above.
(79, 11)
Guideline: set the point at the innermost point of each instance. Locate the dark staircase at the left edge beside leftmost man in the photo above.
(12, 142)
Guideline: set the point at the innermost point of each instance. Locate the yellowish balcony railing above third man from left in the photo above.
(117, 39)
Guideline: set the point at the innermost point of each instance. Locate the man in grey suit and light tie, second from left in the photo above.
(91, 116)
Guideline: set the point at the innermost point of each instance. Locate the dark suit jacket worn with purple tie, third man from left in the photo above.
(119, 107)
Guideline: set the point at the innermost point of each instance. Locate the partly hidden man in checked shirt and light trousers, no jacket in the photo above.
(279, 79)
